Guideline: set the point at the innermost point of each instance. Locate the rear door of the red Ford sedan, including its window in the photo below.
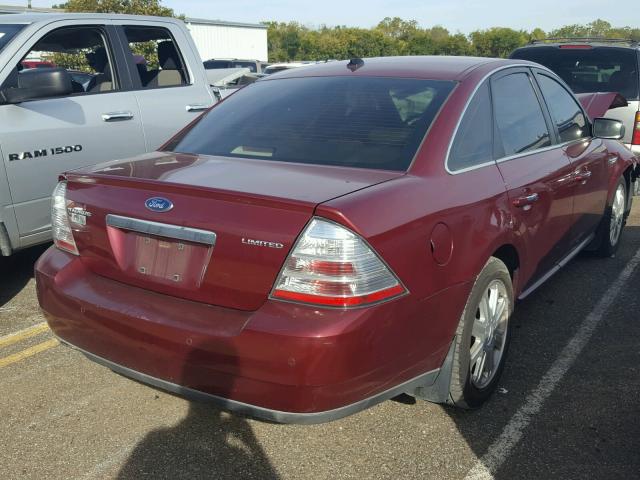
(536, 173)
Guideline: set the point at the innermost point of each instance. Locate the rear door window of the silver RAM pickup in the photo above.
(156, 56)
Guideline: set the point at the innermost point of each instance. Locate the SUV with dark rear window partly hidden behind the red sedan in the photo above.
(595, 65)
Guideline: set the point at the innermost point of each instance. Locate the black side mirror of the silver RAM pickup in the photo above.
(38, 83)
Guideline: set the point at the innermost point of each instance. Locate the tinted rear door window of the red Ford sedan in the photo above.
(518, 115)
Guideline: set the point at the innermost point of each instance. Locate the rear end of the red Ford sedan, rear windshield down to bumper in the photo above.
(210, 269)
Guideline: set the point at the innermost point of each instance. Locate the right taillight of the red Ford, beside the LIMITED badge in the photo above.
(332, 266)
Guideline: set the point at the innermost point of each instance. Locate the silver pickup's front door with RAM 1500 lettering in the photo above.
(41, 138)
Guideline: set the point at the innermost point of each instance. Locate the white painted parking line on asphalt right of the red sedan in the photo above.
(498, 452)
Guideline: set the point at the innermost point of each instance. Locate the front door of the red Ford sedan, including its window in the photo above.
(588, 156)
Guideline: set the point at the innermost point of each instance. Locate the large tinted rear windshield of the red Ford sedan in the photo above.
(348, 121)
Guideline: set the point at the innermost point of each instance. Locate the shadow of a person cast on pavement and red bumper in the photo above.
(208, 443)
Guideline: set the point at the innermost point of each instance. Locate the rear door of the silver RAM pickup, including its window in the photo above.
(169, 79)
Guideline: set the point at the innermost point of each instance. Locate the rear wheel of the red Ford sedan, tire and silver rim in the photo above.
(473, 380)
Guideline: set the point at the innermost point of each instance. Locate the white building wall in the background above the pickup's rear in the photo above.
(222, 41)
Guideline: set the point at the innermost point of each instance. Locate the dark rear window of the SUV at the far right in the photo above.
(598, 69)
